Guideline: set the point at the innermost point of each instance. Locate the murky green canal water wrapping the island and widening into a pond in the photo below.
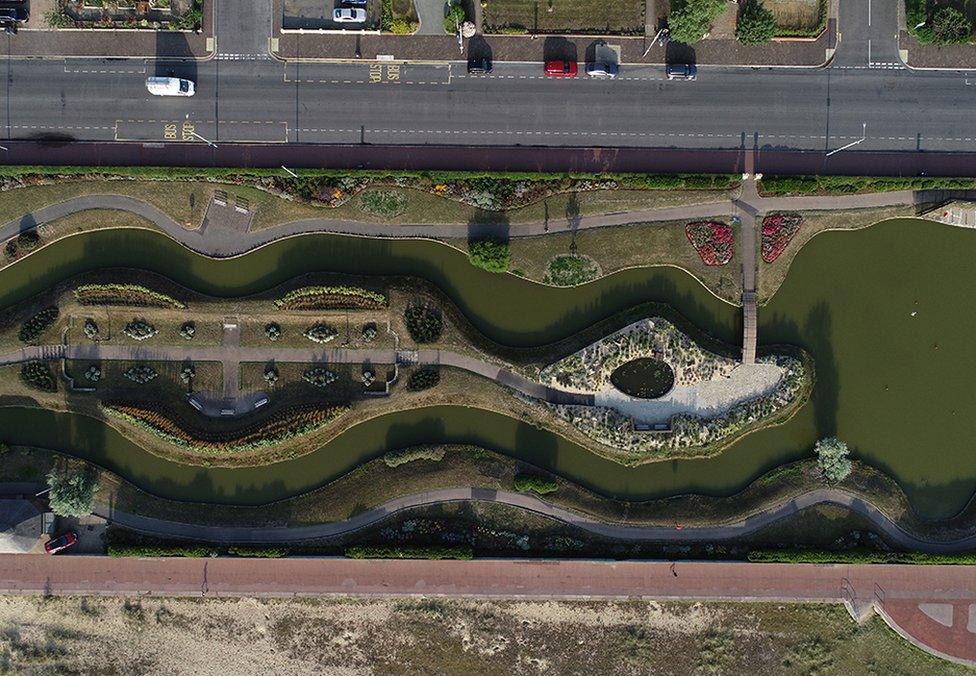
(896, 387)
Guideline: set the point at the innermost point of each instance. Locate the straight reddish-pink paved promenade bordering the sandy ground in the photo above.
(931, 606)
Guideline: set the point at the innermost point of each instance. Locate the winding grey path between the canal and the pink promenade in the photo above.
(737, 529)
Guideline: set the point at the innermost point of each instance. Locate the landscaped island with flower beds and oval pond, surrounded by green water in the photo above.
(256, 379)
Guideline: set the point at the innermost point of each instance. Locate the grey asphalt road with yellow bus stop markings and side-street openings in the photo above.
(244, 96)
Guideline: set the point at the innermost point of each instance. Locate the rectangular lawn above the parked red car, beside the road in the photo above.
(566, 16)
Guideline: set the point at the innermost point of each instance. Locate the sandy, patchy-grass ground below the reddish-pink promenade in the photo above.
(386, 636)
